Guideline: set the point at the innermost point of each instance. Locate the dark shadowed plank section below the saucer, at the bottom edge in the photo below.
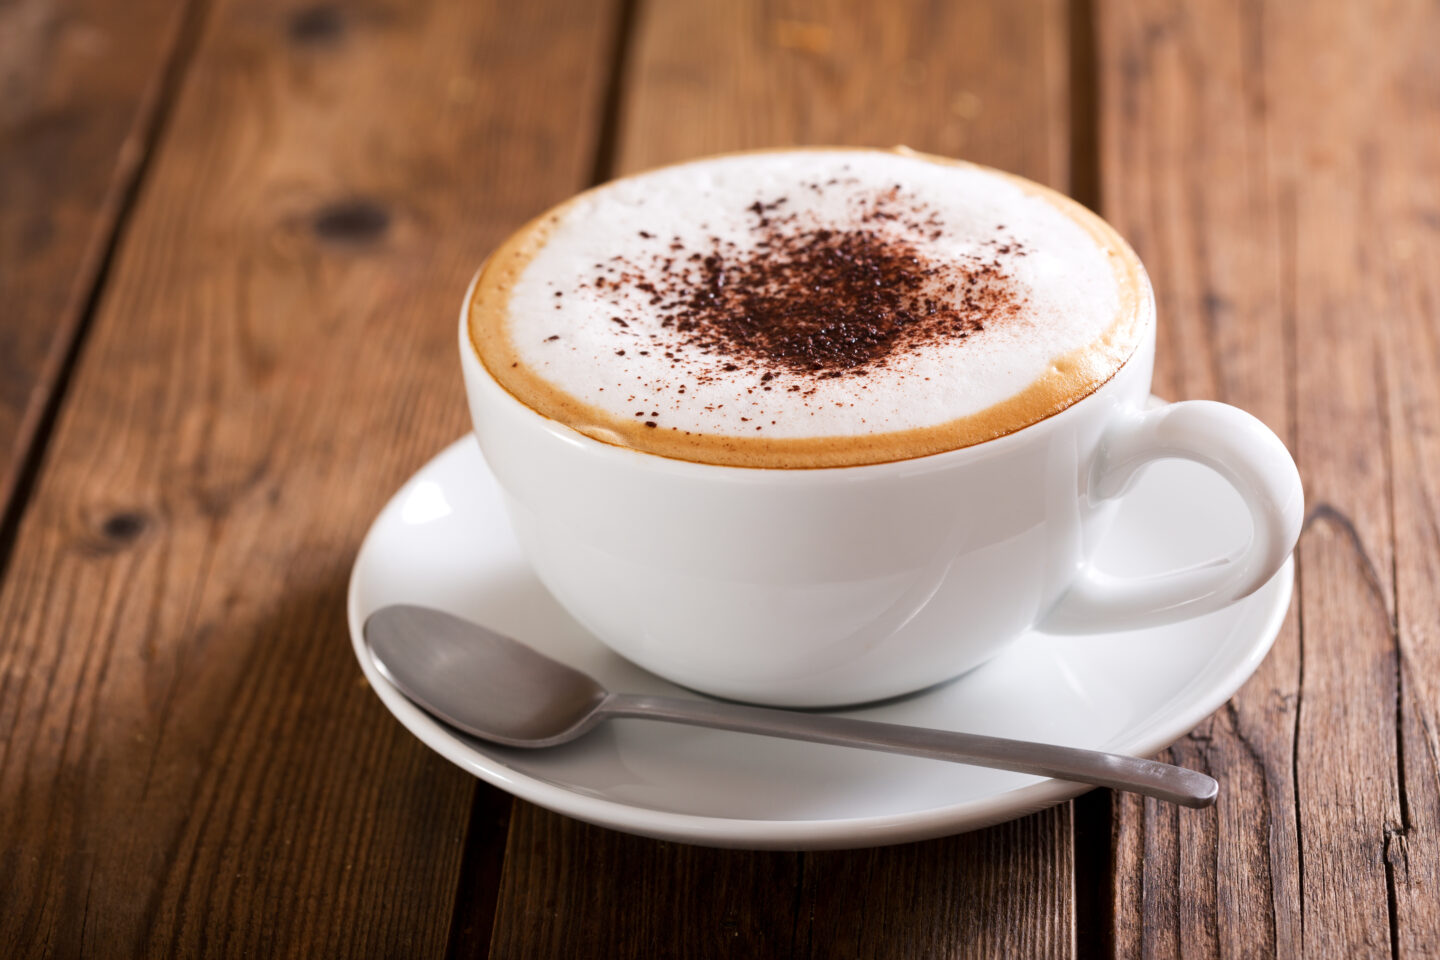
(991, 893)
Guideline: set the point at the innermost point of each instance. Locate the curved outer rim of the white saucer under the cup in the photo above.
(768, 834)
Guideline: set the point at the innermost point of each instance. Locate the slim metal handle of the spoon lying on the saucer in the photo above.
(1150, 778)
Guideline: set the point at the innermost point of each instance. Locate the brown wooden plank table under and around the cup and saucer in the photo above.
(234, 235)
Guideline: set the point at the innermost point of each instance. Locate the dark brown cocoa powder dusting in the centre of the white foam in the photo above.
(819, 300)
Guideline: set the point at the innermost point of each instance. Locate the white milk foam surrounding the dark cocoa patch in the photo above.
(584, 316)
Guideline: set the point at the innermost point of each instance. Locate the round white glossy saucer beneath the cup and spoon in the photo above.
(444, 542)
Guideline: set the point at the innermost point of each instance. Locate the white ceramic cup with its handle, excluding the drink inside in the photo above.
(816, 588)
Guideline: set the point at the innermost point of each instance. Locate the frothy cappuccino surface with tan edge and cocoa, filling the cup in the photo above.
(809, 309)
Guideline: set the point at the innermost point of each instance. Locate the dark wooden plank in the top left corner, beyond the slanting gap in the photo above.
(84, 87)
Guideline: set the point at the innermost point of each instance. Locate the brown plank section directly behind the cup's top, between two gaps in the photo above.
(981, 81)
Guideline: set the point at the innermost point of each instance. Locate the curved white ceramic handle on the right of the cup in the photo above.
(1238, 447)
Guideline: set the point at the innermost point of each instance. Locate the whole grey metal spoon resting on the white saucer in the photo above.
(503, 692)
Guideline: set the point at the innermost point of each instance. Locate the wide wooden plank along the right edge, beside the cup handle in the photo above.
(1245, 150)
